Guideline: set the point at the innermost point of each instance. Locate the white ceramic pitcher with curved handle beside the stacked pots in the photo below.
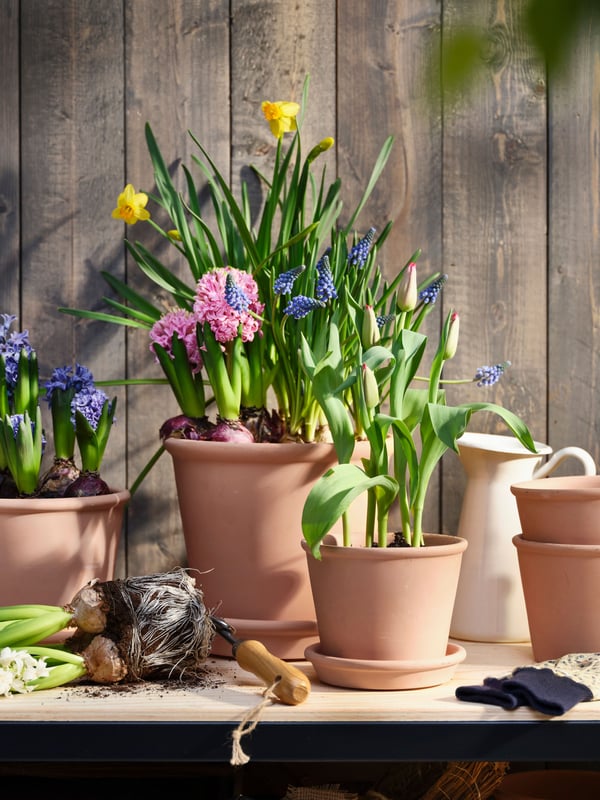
(490, 606)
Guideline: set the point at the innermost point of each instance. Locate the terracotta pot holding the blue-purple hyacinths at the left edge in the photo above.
(50, 548)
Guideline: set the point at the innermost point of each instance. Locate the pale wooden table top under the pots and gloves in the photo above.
(230, 694)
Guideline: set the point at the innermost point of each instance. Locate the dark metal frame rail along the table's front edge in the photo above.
(318, 742)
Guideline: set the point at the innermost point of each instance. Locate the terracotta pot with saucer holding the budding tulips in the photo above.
(388, 610)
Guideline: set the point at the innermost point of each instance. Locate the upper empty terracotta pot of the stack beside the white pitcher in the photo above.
(562, 509)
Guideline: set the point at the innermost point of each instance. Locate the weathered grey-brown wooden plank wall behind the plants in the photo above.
(499, 186)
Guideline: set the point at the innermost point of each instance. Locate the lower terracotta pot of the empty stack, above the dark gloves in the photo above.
(560, 584)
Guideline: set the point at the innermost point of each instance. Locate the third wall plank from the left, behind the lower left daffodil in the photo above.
(177, 62)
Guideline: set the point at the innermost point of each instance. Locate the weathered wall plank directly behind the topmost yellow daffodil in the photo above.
(274, 46)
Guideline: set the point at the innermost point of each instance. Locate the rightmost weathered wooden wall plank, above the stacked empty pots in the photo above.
(574, 249)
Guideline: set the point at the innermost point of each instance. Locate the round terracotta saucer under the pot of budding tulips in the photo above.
(361, 674)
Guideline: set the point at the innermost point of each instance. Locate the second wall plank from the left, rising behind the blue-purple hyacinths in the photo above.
(72, 133)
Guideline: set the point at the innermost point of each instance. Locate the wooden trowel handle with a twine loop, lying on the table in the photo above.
(293, 686)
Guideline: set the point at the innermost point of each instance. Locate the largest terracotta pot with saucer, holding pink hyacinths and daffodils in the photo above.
(241, 510)
